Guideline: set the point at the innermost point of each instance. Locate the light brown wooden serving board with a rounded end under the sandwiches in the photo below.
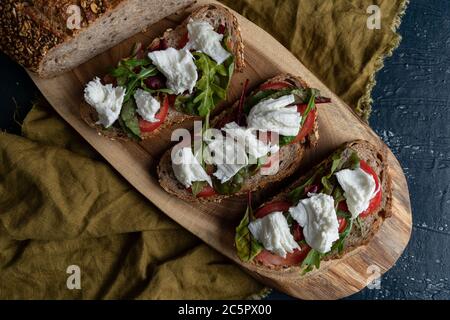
(215, 223)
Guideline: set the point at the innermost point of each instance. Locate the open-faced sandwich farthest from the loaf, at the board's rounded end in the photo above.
(336, 207)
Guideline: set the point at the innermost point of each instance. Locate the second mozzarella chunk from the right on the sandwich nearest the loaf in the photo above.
(178, 67)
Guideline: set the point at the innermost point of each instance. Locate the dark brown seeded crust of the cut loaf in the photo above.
(30, 30)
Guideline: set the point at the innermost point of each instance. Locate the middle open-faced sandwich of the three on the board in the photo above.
(258, 141)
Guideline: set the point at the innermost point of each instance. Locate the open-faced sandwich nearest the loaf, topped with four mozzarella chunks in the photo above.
(184, 74)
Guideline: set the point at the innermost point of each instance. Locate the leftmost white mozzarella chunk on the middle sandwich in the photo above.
(187, 169)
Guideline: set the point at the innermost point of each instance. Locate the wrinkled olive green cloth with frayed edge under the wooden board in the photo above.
(65, 213)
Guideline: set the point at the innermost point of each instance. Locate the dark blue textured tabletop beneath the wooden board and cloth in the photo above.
(411, 114)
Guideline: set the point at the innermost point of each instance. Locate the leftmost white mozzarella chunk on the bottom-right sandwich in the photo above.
(272, 231)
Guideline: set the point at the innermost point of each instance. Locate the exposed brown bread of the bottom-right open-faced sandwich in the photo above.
(361, 235)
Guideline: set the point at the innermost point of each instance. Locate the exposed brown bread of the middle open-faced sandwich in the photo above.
(289, 157)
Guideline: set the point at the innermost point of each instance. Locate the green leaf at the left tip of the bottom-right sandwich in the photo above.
(247, 247)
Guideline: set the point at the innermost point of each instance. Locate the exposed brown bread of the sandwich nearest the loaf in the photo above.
(217, 16)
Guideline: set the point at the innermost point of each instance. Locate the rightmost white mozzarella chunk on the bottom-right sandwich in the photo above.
(359, 189)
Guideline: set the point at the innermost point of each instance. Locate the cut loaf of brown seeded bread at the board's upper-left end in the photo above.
(53, 36)
